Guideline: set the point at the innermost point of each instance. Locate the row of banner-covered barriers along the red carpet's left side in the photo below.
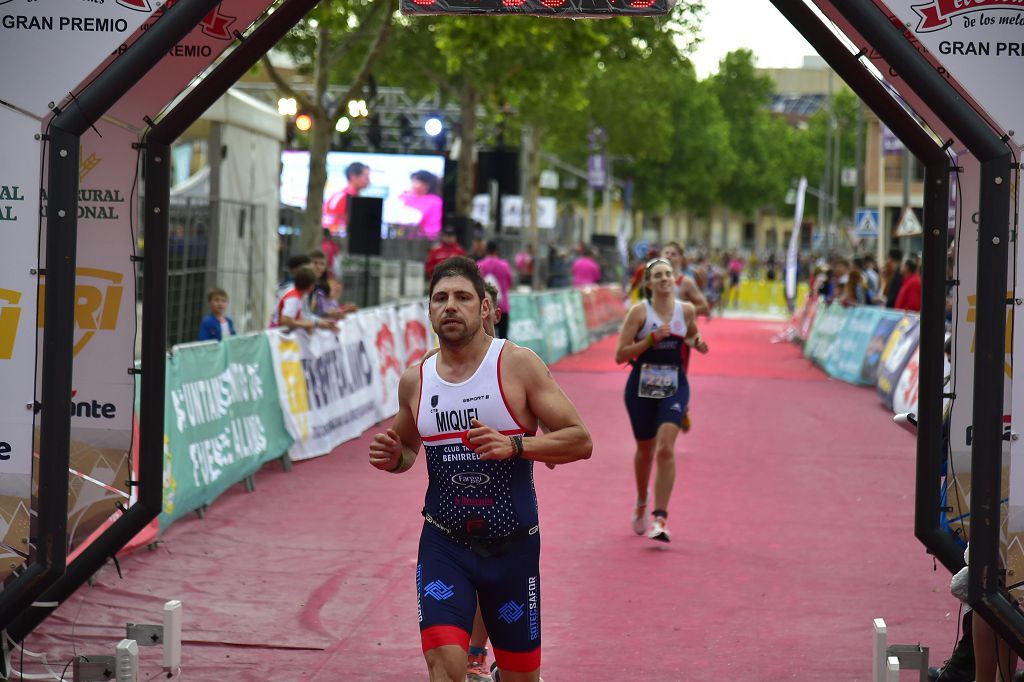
(234, 406)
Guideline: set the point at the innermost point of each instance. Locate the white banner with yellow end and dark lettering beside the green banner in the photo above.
(328, 387)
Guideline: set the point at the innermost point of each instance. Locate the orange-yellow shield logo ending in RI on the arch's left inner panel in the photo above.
(98, 304)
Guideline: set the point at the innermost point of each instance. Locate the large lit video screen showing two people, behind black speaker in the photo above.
(410, 186)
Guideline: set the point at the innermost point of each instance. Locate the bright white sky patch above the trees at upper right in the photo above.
(731, 25)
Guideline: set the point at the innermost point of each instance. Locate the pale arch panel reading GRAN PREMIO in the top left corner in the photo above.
(70, 38)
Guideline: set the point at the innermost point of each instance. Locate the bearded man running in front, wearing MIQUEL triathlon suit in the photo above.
(477, 406)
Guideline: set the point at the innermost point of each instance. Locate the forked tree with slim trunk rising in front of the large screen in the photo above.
(338, 42)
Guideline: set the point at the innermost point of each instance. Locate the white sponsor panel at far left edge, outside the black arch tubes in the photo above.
(21, 167)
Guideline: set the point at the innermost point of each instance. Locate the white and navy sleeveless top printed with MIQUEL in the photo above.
(481, 498)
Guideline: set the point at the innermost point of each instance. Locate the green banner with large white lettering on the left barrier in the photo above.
(223, 421)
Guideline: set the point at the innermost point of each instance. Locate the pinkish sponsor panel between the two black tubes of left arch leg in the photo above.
(103, 389)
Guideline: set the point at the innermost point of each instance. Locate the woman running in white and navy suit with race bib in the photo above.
(653, 338)
